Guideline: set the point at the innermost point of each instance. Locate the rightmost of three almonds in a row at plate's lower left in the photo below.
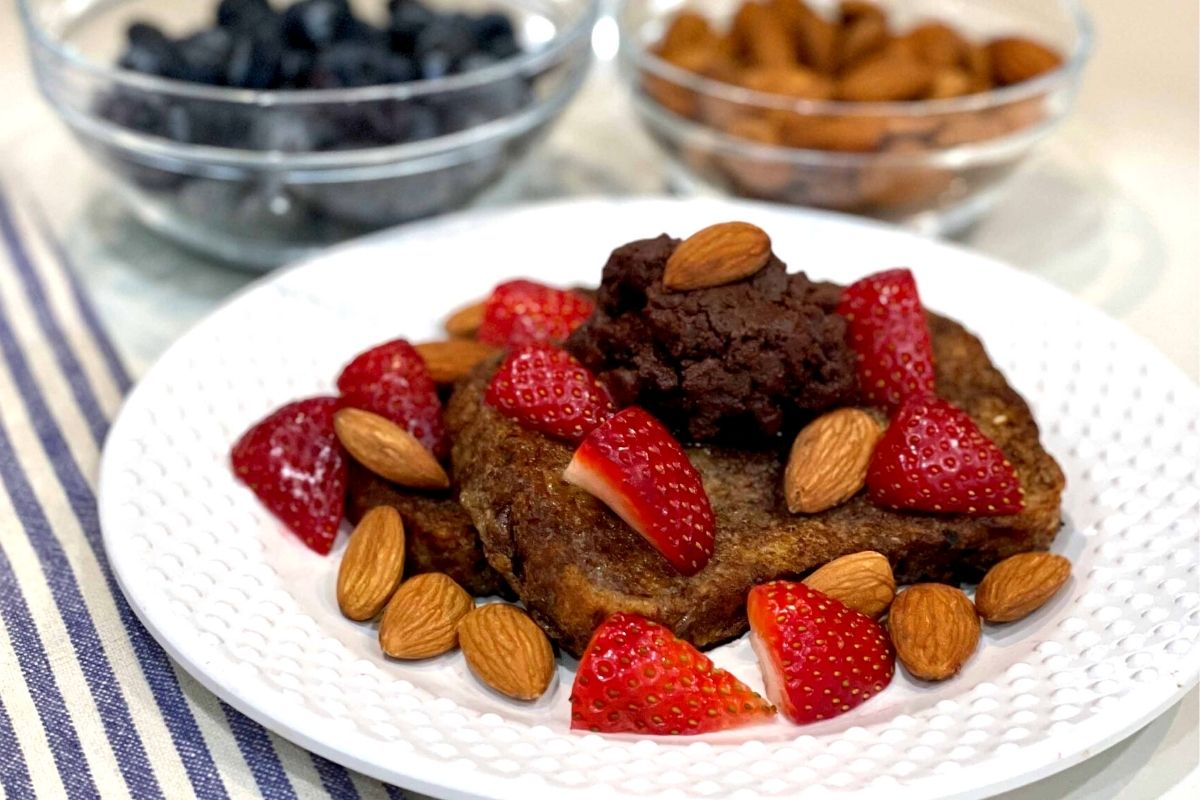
(507, 651)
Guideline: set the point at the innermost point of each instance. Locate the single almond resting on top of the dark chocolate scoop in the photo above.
(716, 256)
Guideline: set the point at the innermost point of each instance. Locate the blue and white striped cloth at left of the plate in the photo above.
(91, 706)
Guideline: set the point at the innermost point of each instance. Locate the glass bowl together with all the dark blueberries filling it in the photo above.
(259, 131)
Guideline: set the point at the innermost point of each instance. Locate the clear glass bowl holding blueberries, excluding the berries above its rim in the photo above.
(261, 178)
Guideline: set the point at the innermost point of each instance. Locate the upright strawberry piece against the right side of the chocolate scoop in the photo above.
(889, 333)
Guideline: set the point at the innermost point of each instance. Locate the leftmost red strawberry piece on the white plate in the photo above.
(293, 462)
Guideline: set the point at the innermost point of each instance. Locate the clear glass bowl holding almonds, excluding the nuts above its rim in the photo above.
(934, 165)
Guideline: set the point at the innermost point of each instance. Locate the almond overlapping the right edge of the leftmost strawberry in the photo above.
(388, 450)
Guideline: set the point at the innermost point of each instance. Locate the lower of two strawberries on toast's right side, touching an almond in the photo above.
(933, 458)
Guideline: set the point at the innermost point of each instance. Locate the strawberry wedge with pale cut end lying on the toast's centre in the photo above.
(635, 466)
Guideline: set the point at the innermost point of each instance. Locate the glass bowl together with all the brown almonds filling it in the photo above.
(910, 111)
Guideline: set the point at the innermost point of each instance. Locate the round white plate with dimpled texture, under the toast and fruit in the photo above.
(245, 609)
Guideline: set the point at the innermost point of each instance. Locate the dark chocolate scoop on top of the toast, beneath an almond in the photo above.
(739, 364)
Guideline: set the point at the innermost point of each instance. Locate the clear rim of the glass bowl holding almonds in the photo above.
(635, 56)
